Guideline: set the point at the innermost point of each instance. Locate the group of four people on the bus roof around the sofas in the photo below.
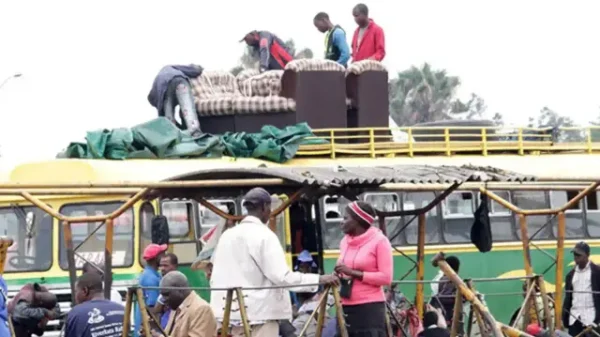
(172, 85)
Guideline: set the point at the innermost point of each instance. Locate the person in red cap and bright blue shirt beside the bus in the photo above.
(150, 277)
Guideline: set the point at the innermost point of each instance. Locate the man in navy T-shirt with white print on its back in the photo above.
(94, 315)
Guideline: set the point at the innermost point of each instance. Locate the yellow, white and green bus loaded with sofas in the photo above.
(39, 254)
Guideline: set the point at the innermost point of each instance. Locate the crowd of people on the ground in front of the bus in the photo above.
(279, 301)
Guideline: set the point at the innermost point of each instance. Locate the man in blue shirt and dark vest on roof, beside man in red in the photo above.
(336, 46)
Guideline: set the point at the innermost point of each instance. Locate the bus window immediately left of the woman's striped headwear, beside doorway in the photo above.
(332, 210)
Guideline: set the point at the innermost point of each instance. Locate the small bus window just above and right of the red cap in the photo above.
(179, 216)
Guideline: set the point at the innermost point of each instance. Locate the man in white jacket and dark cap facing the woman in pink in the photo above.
(250, 255)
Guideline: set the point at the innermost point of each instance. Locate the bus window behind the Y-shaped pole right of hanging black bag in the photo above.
(533, 200)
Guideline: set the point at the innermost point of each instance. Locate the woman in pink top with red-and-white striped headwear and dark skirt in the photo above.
(365, 266)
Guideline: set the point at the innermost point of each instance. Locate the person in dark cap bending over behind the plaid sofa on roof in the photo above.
(273, 52)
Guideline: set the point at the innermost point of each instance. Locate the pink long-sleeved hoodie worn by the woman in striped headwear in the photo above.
(370, 253)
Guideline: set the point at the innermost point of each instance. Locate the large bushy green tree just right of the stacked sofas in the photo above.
(422, 94)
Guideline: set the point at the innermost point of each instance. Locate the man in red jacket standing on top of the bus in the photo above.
(368, 42)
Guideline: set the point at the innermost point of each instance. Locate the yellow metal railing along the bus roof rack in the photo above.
(414, 141)
